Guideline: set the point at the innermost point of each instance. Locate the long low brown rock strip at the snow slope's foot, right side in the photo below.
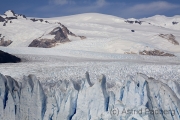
(156, 53)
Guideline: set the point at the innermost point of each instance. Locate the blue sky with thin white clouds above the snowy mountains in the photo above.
(120, 8)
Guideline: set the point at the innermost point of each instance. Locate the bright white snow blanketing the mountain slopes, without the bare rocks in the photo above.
(104, 33)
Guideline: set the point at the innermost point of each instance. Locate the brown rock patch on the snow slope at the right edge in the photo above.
(170, 37)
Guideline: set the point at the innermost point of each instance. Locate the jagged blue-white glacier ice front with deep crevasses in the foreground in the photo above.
(141, 98)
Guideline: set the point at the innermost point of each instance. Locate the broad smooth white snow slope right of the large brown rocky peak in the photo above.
(113, 34)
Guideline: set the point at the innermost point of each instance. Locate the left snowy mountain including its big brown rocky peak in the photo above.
(19, 31)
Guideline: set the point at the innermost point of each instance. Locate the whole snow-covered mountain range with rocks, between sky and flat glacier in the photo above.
(103, 33)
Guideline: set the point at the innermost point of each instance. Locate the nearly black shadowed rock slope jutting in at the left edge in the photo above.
(8, 58)
